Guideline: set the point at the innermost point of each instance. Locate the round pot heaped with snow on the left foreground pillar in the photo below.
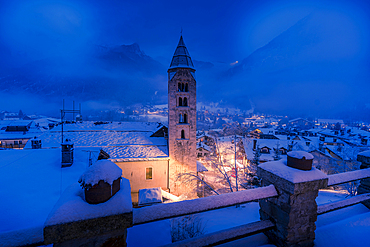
(101, 181)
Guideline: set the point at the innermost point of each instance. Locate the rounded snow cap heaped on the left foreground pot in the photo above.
(104, 170)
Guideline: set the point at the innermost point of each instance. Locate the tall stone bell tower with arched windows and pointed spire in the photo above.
(181, 118)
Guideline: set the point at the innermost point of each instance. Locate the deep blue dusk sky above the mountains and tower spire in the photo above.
(220, 32)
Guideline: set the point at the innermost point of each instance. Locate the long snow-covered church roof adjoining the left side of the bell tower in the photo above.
(121, 140)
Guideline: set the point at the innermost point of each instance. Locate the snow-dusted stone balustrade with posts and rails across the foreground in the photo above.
(288, 211)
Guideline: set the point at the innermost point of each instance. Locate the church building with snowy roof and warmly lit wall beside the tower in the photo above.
(138, 148)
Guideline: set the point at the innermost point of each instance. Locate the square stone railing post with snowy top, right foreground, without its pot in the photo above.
(294, 211)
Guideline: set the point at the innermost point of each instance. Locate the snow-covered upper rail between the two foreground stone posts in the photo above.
(175, 209)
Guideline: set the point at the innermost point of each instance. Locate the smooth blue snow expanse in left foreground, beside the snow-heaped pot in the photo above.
(31, 183)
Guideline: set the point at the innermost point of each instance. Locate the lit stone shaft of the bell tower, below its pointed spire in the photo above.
(182, 152)
